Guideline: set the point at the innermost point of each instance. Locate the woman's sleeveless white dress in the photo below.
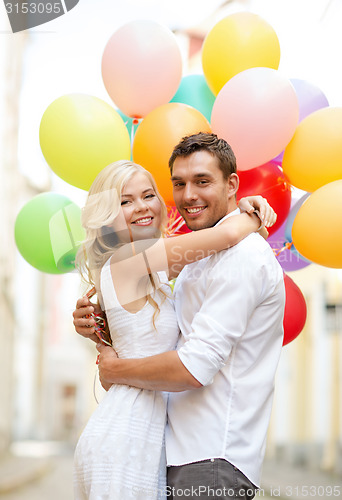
(121, 452)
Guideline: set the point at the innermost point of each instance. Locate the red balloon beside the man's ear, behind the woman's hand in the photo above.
(269, 181)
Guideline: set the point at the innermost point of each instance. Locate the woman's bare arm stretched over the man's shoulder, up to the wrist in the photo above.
(172, 254)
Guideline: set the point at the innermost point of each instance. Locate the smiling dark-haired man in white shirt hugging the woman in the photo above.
(230, 311)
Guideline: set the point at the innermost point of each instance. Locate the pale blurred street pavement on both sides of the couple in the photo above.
(50, 478)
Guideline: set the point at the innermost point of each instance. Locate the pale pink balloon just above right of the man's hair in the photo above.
(257, 113)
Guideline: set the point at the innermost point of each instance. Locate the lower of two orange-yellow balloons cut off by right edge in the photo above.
(317, 227)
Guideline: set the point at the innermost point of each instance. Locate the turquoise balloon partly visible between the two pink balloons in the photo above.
(194, 91)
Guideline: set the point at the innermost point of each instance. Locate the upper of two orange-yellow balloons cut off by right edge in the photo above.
(313, 157)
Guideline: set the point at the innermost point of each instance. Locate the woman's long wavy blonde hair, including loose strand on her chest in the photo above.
(102, 206)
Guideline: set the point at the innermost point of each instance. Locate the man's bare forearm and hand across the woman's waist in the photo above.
(162, 372)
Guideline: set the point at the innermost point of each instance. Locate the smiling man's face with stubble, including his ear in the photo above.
(201, 194)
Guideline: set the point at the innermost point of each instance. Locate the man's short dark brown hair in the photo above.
(203, 141)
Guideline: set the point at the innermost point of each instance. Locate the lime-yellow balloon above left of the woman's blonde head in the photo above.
(80, 135)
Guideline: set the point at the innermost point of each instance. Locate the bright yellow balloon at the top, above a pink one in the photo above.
(240, 41)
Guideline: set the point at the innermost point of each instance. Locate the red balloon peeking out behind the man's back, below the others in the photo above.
(295, 310)
